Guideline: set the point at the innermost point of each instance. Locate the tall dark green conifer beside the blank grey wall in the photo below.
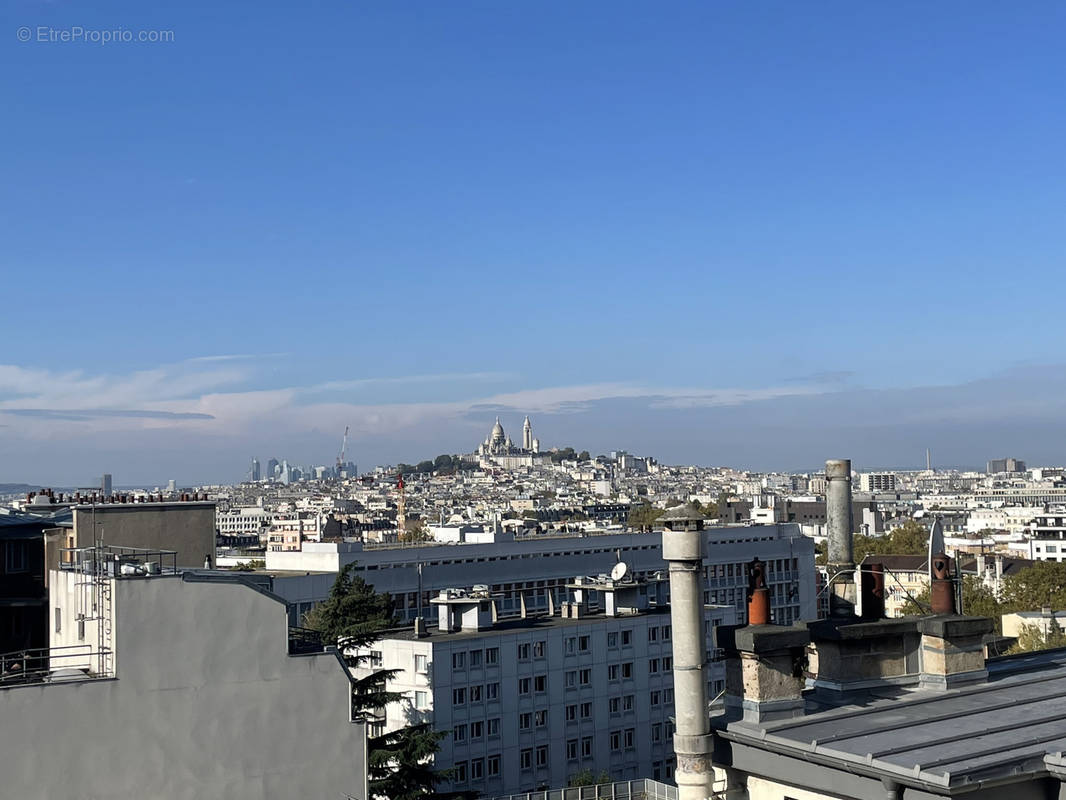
(353, 617)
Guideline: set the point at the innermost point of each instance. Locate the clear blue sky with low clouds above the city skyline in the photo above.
(627, 219)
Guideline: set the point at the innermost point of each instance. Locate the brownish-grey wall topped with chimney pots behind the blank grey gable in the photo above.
(186, 527)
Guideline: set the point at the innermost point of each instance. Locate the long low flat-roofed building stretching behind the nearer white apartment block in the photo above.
(541, 567)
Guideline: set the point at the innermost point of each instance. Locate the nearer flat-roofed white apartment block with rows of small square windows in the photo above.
(531, 702)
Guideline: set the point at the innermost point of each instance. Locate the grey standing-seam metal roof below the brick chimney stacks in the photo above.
(946, 742)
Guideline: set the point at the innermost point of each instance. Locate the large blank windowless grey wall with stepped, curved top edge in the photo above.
(206, 705)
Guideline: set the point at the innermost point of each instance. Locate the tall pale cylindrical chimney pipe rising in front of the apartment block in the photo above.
(684, 551)
